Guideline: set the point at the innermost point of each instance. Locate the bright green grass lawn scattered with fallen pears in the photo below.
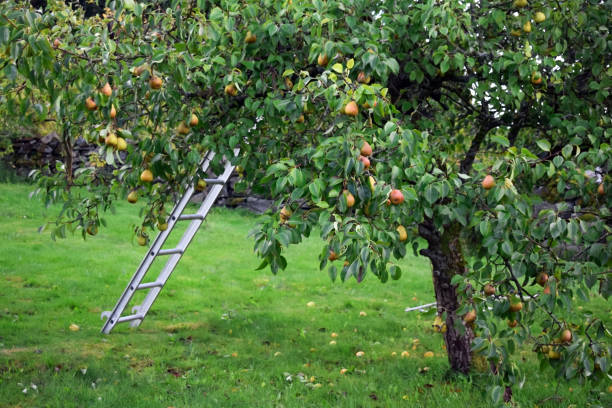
(221, 333)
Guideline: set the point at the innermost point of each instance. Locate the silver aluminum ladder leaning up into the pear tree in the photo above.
(174, 254)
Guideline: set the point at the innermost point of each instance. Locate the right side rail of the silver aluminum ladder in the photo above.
(186, 239)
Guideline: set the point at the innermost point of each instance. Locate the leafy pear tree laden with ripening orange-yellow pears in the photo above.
(480, 128)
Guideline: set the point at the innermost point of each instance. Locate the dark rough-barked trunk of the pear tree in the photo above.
(444, 251)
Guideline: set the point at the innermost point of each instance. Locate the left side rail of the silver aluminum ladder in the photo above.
(114, 316)
